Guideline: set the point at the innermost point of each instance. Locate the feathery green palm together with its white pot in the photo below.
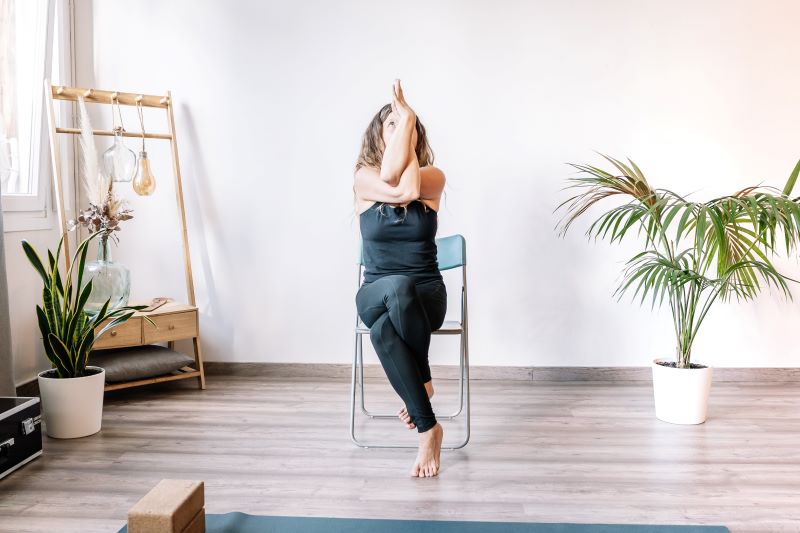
(694, 254)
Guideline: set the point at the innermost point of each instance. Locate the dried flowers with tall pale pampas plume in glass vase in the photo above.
(105, 211)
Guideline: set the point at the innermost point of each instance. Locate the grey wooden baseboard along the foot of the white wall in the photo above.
(513, 373)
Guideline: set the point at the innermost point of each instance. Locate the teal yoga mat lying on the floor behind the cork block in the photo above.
(245, 523)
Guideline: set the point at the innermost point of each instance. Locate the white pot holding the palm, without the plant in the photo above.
(681, 394)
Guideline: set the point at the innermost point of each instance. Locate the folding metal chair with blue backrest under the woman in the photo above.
(451, 253)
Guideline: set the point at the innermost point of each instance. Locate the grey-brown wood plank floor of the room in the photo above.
(589, 452)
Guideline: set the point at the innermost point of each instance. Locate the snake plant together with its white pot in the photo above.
(71, 392)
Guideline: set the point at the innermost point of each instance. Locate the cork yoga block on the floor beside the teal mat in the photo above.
(172, 506)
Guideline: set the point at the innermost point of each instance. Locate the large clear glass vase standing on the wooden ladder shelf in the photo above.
(110, 280)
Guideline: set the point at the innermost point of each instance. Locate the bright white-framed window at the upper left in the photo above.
(26, 59)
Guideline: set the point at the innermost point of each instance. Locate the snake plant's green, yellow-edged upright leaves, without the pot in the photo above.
(68, 332)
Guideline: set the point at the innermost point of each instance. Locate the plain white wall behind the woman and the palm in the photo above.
(272, 99)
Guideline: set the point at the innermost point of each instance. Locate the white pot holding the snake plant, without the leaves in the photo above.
(72, 407)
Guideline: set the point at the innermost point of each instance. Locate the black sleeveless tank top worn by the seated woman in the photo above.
(400, 240)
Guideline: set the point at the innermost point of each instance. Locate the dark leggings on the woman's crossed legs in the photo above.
(401, 315)
